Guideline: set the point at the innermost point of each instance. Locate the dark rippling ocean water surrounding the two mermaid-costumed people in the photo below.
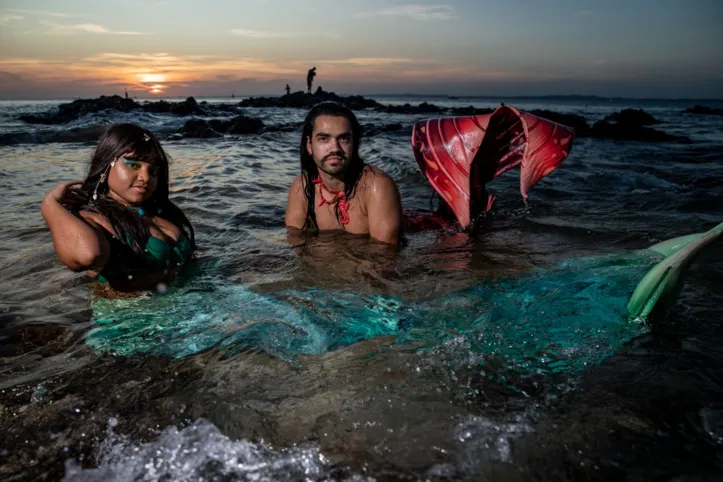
(498, 355)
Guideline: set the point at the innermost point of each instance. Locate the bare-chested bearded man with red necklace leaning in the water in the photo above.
(336, 190)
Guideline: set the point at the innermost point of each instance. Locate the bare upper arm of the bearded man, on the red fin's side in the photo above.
(385, 210)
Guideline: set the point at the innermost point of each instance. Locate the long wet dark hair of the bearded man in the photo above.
(309, 171)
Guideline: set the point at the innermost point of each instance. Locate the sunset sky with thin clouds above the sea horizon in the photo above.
(630, 48)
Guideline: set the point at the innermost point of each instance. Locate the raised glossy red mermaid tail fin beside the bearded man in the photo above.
(461, 155)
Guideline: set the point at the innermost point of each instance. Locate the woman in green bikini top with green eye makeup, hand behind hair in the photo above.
(119, 225)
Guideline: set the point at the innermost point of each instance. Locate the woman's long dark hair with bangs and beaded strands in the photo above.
(129, 226)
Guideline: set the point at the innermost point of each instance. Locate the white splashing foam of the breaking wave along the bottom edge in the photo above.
(200, 452)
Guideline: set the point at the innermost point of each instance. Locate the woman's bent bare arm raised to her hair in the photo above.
(79, 245)
